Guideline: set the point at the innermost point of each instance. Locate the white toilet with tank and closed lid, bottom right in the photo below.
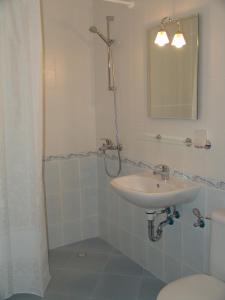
(204, 287)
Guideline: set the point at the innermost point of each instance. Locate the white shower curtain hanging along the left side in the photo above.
(23, 245)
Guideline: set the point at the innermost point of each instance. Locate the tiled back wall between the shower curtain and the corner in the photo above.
(69, 121)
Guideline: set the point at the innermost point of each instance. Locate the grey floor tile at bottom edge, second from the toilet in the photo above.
(115, 287)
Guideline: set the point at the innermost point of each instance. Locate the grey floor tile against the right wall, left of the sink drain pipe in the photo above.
(122, 265)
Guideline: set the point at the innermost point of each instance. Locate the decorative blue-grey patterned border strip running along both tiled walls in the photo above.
(218, 184)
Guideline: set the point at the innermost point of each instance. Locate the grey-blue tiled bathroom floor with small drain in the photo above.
(103, 274)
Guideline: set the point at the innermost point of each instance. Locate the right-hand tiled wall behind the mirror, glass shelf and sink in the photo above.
(183, 249)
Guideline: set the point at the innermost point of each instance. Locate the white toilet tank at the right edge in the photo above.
(217, 248)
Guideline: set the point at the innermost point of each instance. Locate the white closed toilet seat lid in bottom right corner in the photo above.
(196, 287)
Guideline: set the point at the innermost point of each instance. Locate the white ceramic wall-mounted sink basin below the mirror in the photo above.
(151, 192)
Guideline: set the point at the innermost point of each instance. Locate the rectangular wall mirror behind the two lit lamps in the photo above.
(173, 73)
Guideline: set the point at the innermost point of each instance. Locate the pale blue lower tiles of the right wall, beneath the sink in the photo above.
(183, 250)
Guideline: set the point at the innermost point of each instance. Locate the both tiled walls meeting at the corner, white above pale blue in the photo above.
(71, 184)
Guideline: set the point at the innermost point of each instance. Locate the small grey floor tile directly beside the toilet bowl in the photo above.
(150, 289)
